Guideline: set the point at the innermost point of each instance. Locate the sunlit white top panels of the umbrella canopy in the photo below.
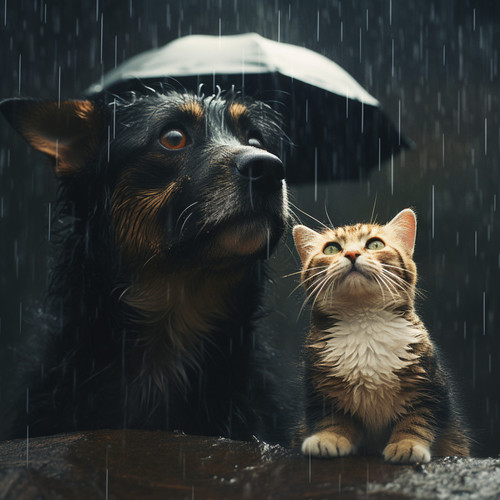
(248, 53)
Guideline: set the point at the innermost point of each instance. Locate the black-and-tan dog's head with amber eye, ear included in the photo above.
(179, 177)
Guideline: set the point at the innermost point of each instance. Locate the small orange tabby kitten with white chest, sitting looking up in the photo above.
(373, 379)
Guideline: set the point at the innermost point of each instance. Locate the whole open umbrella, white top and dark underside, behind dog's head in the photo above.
(337, 129)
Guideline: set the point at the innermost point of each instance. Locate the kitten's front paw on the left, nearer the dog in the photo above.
(336, 436)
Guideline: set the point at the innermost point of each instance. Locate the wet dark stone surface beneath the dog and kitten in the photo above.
(136, 464)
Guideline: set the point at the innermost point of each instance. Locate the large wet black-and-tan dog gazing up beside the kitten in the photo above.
(170, 203)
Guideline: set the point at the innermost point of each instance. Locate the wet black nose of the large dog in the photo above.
(263, 169)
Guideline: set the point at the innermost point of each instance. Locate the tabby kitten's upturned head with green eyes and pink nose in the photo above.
(360, 264)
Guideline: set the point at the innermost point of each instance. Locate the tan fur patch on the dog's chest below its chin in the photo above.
(178, 310)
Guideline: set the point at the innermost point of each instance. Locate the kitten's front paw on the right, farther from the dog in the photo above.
(410, 440)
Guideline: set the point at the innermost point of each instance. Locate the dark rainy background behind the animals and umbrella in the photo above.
(432, 64)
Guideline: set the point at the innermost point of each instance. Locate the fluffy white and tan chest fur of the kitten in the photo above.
(365, 349)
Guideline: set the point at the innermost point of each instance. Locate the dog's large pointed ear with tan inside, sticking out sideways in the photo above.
(68, 132)
